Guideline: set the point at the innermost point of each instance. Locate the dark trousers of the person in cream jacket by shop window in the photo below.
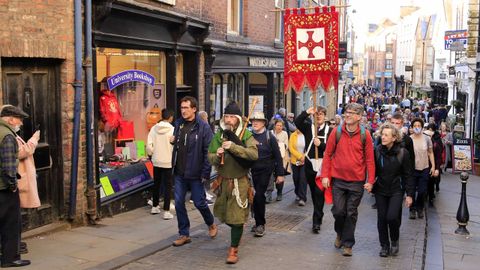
(162, 176)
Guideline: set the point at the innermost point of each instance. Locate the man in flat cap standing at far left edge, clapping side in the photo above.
(10, 220)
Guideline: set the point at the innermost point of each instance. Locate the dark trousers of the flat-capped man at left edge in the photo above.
(10, 222)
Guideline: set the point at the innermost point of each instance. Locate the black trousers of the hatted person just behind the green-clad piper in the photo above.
(261, 179)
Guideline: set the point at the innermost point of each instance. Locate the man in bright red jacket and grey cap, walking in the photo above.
(347, 161)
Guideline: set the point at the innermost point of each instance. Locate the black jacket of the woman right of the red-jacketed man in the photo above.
(391, 166)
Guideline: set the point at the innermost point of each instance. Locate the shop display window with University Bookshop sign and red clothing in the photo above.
(131, 85)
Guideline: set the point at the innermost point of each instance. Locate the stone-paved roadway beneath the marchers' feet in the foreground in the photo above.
(290, 244)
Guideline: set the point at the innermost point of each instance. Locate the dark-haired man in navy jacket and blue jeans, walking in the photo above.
(191, 167)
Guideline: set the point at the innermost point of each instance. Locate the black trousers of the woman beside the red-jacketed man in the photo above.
(389, 211)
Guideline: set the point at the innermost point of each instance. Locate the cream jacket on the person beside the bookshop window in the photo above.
(159, 146)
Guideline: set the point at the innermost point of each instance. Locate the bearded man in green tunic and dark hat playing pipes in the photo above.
(238, 155)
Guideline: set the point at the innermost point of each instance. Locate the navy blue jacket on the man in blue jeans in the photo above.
(198, 140)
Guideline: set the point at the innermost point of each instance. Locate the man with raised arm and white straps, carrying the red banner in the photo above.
(314, 141)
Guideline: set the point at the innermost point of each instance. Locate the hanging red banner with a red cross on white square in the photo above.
(311, 49)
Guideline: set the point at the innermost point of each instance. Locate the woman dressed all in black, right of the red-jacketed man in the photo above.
(392, 164)
